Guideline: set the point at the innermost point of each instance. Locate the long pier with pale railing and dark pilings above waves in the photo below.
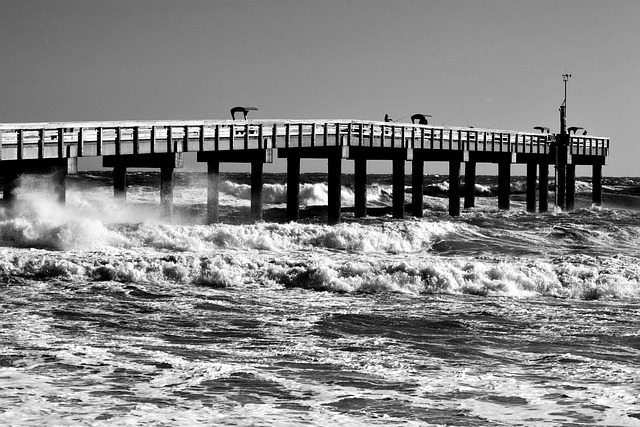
(53, 148)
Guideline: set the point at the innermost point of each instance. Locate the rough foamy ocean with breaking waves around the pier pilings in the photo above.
(114, 315)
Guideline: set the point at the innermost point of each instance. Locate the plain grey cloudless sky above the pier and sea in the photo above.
(482, 63)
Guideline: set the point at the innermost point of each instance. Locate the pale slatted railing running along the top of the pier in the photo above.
(79, 139)
